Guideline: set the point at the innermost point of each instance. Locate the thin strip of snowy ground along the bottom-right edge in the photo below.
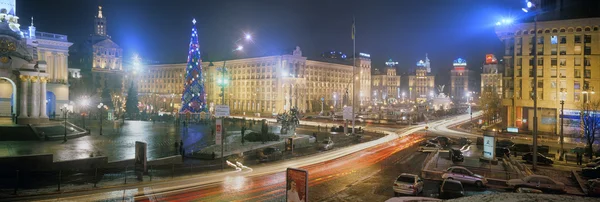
(520, 197)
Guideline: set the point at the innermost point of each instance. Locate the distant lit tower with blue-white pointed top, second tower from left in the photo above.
(421, 85)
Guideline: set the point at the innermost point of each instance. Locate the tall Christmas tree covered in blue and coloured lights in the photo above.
(193, 99)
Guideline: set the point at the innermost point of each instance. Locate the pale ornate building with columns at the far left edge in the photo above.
(33, 69)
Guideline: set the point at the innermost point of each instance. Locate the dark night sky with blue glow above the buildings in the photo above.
(403, 30)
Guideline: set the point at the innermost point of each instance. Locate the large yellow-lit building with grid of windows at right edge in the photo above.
(568, 69)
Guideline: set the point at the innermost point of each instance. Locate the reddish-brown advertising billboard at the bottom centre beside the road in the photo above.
(296, 189)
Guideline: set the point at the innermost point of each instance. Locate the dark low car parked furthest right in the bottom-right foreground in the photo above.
(544, 183)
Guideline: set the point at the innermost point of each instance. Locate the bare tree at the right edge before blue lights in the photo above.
(590, 117)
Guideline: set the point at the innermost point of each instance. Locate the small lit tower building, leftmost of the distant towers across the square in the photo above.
(386, 84)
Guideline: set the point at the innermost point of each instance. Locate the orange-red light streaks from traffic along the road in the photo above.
(272, 186)
